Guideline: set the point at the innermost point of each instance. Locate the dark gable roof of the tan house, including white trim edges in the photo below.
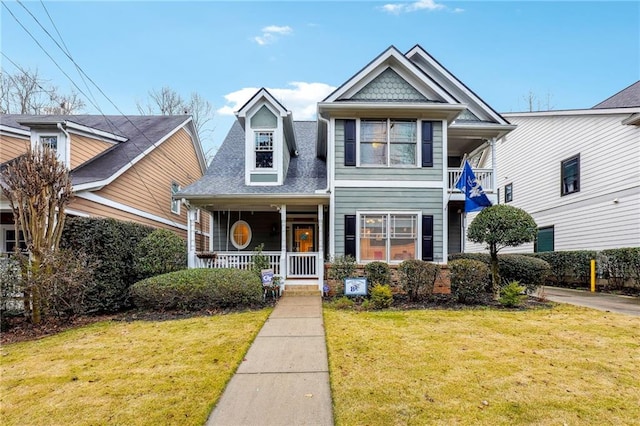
(135, 137)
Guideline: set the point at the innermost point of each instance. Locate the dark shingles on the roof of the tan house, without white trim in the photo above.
(141, 132)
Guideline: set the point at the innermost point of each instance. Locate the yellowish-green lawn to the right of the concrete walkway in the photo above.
(565, 365)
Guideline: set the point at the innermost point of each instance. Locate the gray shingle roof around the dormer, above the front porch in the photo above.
(225, 175)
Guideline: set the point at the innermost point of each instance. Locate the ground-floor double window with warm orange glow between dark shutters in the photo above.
(388, 237)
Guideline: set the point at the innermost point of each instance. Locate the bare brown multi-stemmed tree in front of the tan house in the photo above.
(38, 187)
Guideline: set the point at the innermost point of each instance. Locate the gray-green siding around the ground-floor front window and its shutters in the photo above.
(350, 200)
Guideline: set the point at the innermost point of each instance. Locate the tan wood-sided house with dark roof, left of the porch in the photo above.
(122, 167)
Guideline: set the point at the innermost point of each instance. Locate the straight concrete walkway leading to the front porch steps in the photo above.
(284, 379)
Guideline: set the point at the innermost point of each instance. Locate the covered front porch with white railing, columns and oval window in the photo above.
(291, 234)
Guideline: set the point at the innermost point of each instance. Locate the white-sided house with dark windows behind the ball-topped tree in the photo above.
(577, 173)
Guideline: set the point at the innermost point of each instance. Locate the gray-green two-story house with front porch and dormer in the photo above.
(373, 177)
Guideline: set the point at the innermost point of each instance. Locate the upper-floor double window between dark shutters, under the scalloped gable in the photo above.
(389, 142)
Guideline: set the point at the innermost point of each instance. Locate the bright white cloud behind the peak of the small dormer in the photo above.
(301, 98)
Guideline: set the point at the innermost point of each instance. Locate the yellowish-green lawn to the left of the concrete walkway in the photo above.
(138, 373)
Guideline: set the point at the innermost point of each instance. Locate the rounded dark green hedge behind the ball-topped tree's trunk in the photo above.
(529, 271)
